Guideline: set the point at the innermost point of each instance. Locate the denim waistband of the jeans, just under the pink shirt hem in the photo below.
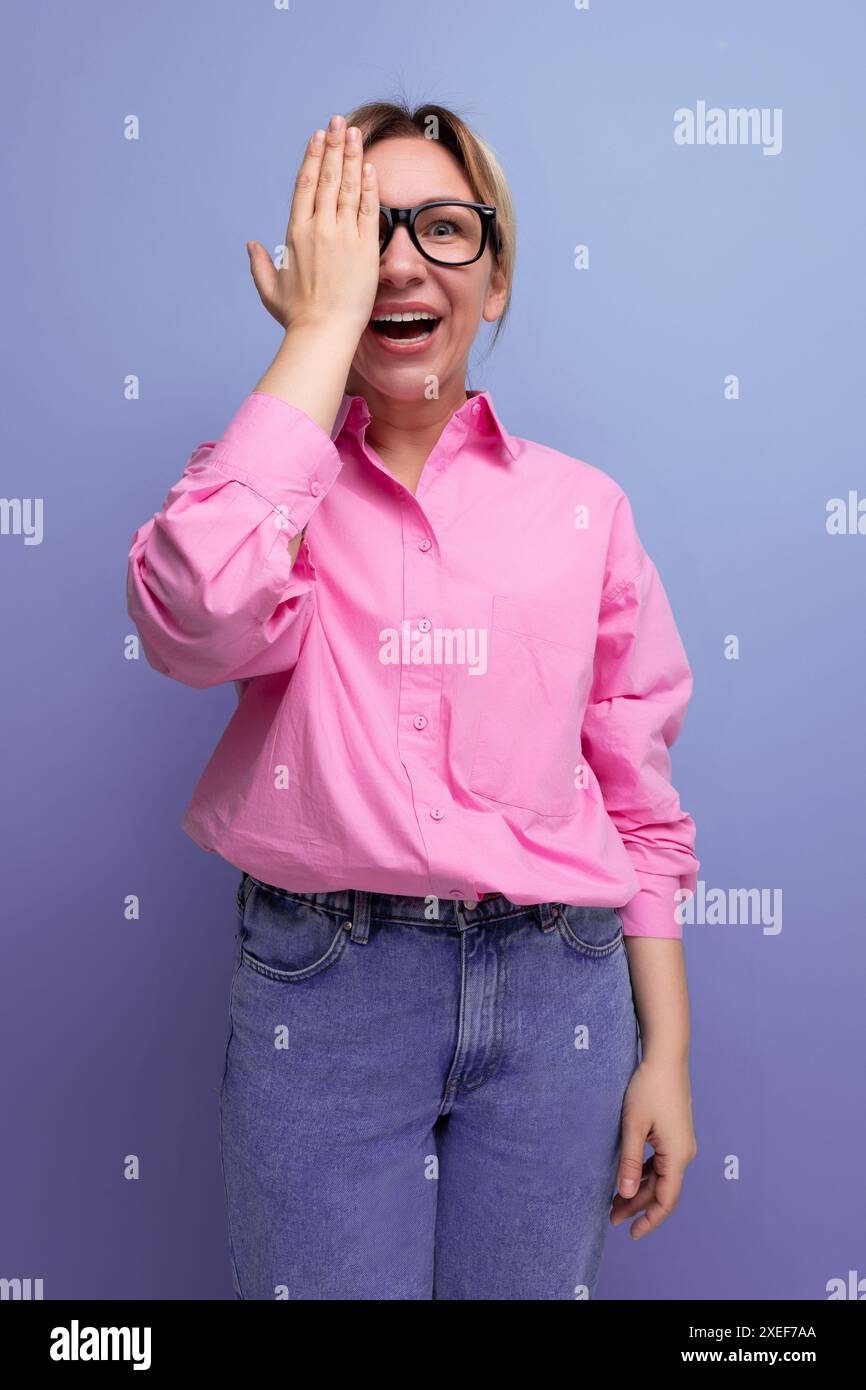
(389, 907)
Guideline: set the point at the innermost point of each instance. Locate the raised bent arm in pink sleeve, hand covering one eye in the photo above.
(212, 583)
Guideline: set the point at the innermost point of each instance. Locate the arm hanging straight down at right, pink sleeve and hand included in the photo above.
(642, 690)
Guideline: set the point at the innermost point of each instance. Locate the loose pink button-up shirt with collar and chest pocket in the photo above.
(462, 692)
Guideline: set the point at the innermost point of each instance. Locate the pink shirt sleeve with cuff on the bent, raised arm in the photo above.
(212, 584)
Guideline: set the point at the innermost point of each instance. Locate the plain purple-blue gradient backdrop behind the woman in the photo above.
(130, 258)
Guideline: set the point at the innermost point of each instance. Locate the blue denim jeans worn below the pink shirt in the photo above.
(420, 1107)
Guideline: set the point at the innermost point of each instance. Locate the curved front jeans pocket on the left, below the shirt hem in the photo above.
(287, 940)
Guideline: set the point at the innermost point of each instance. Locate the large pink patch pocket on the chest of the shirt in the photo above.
(528, 747)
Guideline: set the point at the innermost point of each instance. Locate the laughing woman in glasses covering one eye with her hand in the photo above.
(447, 782)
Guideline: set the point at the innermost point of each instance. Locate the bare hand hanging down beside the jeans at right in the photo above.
(657, 1111)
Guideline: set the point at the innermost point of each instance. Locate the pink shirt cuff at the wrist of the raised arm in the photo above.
(281, 454)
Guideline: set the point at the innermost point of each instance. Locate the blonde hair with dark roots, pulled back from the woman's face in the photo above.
(484, 173)
